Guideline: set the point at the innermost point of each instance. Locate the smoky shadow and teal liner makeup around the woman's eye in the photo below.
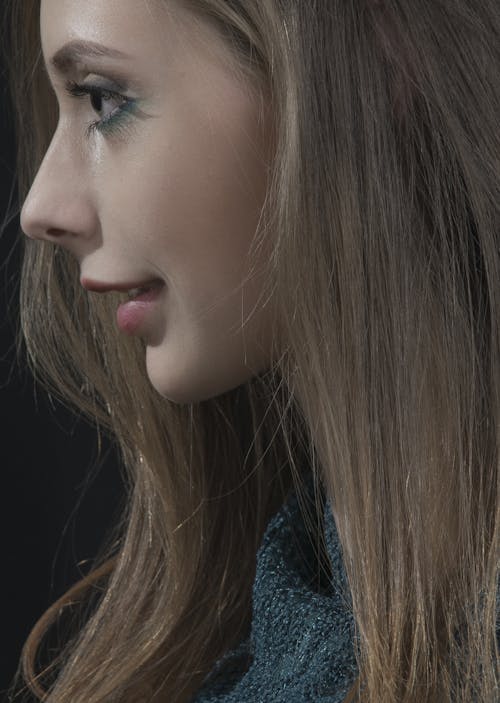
(112, 123)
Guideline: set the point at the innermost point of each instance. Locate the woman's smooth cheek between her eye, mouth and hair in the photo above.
(197, 203)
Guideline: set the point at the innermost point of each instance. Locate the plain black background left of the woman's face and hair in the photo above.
(57, 498)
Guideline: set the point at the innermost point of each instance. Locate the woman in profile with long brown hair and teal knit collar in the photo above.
(263, 254)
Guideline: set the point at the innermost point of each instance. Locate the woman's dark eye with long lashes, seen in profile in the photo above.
(111, 106)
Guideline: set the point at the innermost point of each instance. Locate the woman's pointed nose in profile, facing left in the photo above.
(59, 207)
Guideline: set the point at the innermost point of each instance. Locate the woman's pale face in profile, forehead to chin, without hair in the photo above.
(166, 186)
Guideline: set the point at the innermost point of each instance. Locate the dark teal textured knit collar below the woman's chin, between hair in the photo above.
(300, 648)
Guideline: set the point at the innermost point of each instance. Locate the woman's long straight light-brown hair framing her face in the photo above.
(384, 215)
